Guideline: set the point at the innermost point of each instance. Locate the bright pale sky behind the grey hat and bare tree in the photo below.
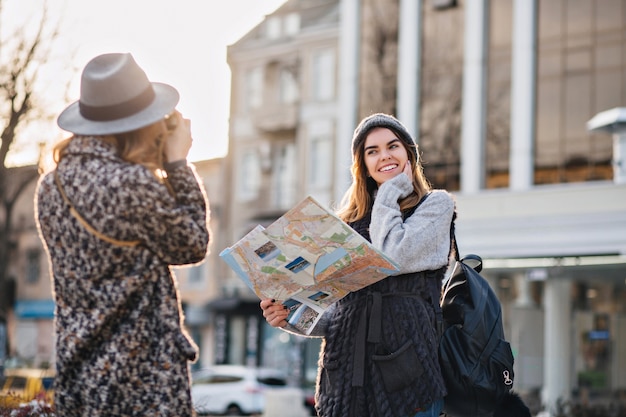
(179, 42)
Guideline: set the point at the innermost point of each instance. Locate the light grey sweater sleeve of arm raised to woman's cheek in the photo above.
(422, 241)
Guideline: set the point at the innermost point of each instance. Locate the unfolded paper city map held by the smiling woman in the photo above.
(307, 259)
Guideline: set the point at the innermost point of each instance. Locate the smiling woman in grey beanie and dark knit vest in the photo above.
(392, 369)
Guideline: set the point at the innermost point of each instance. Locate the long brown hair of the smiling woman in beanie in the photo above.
(359, 198)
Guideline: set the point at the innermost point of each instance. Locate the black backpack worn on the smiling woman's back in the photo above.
(475, 358)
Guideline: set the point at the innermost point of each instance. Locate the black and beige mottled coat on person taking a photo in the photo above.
(121, 349)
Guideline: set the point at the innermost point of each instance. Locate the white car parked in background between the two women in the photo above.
(233, 390)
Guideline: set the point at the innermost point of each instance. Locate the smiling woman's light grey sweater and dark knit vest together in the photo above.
(379, 356)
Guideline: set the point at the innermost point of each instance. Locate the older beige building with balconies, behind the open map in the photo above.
(283, 128)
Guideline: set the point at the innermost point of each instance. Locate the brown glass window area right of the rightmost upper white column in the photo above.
(580, 71)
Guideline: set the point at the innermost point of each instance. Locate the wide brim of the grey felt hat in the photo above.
(165, 101)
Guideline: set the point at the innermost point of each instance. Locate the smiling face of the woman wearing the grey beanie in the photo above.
(384, 154)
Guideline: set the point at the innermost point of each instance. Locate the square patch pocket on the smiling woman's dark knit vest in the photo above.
(400, 368)
